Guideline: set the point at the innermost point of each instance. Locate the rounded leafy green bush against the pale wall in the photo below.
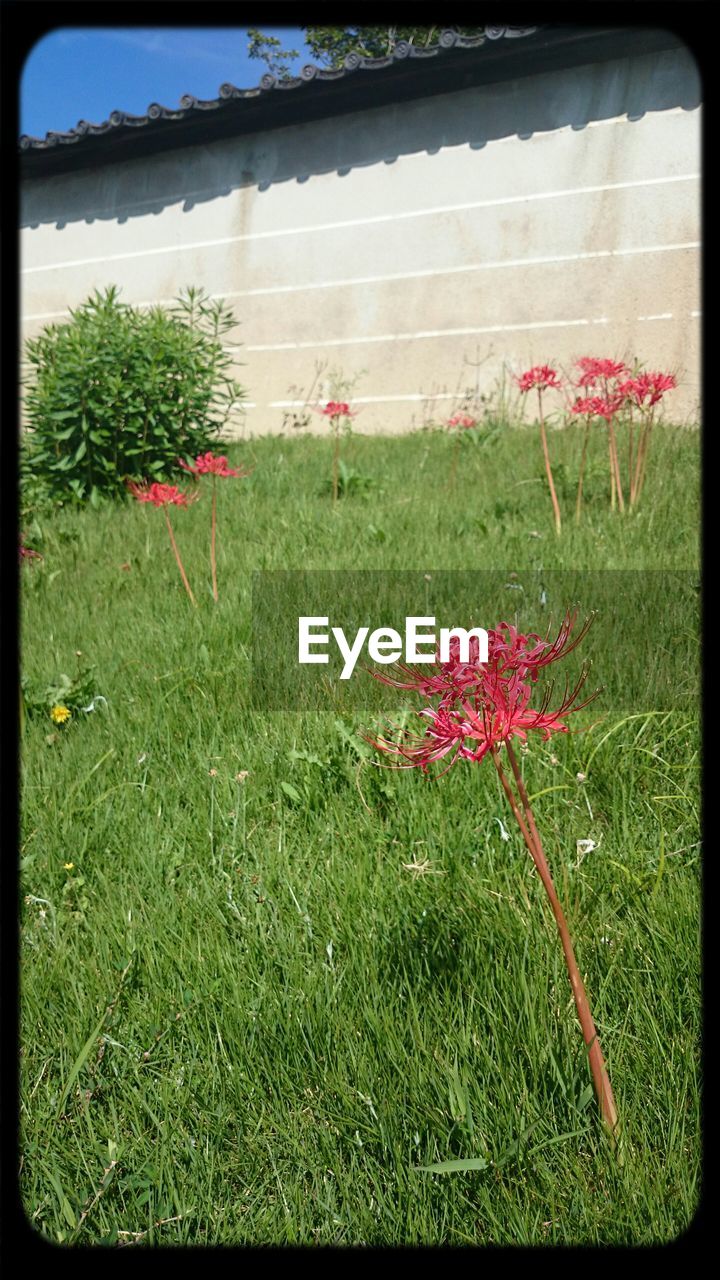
(117, 394)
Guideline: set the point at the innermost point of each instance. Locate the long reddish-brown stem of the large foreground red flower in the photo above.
(531, 836)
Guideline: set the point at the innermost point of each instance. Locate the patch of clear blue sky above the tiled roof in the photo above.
(79, 74)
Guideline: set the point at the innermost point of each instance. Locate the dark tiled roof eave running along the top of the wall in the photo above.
(363, 89)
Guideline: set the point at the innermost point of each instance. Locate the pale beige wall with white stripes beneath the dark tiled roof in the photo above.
(435, 245)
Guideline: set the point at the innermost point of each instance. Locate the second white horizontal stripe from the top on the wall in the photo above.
(502, 264)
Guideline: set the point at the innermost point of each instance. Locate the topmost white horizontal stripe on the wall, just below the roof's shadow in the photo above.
(363, 222)
